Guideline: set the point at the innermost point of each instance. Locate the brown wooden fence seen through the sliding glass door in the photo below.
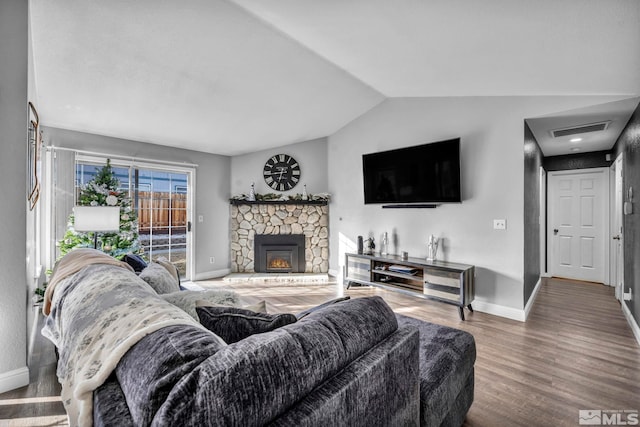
(161, 210)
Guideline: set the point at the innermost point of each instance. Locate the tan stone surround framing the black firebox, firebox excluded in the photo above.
(310, 219)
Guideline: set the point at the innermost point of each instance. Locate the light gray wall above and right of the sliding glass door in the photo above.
(212, 189)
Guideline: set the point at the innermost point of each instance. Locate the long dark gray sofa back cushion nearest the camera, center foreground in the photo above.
(253, 381)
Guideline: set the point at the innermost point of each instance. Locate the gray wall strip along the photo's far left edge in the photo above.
(13, 210)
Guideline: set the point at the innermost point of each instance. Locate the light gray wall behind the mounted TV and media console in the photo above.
(492, 134)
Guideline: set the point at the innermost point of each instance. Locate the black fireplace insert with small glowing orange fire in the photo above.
(280, 253)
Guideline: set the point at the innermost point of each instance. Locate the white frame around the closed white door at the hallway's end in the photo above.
(605, 212)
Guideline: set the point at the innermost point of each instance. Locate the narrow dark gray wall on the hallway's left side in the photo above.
(532, 162)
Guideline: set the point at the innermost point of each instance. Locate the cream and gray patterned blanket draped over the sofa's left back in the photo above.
(97, 314)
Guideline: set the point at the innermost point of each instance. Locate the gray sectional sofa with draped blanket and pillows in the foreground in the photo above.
(129, 356)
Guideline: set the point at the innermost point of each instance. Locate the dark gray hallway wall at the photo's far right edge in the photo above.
(629, 144)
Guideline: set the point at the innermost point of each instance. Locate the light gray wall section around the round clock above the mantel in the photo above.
(312, 156)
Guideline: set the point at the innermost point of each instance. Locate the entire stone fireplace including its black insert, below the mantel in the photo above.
(278, 223)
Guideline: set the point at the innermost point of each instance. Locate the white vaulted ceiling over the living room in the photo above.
(235, 76)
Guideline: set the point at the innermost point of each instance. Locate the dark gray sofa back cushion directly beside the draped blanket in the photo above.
(149, 370)
